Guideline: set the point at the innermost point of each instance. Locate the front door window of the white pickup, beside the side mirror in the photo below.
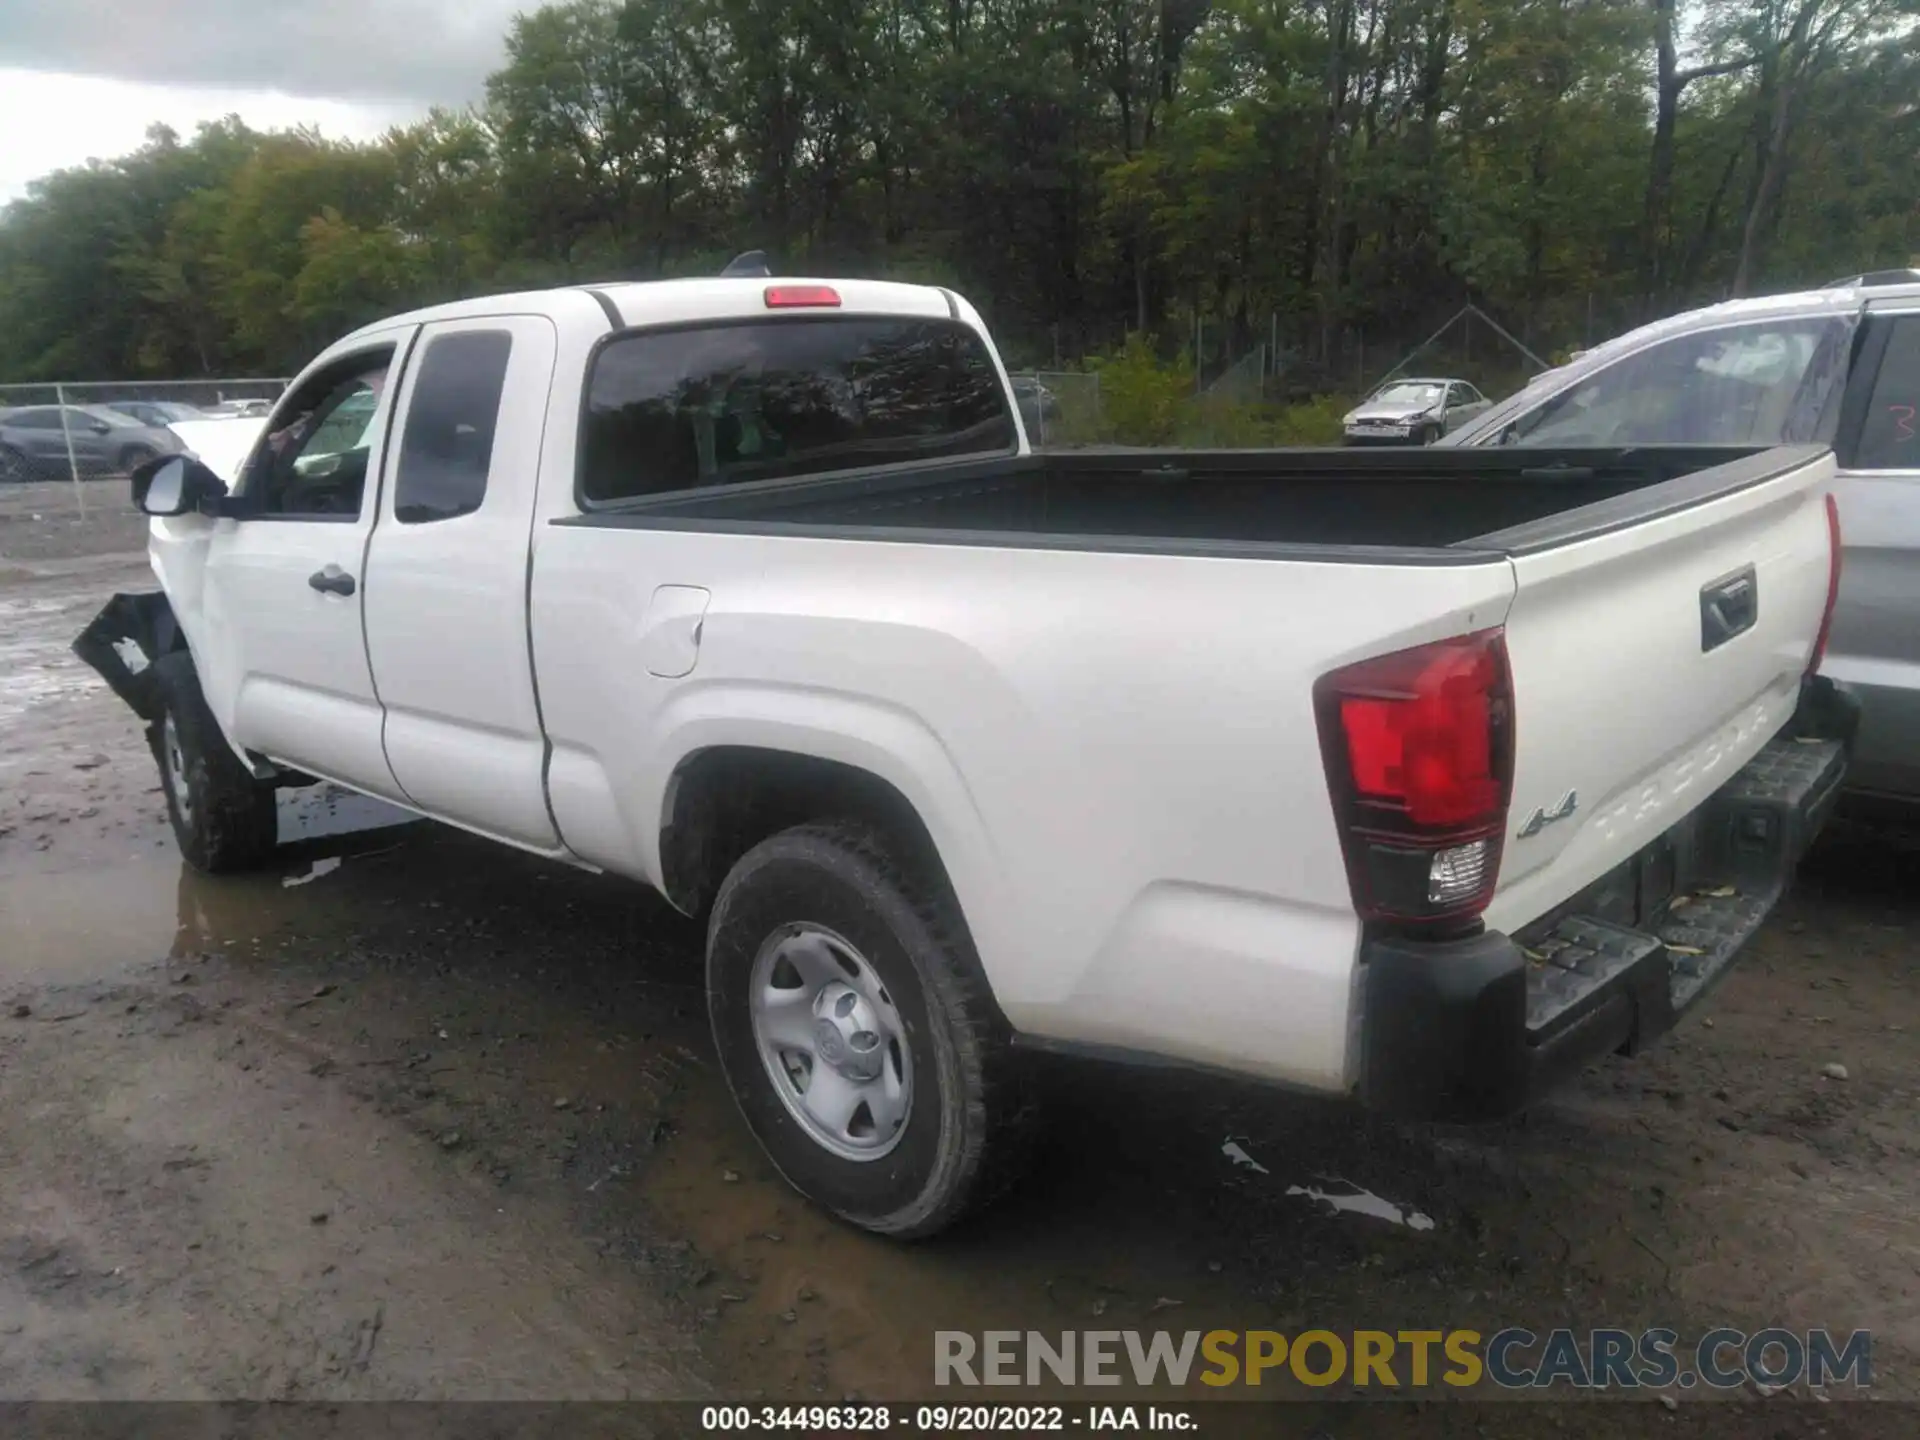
(314, 464)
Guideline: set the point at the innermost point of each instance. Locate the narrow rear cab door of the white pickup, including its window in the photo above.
(446, 606)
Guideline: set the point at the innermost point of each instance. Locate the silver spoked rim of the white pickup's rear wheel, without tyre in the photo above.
(832, 1042)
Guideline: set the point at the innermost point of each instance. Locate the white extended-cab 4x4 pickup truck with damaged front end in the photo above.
(1414, 777)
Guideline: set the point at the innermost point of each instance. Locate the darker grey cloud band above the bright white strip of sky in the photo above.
(366, 51)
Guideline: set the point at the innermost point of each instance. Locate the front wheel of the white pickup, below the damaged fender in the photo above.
(226, 821)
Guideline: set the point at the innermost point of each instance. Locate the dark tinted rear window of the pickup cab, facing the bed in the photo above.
(679, 410)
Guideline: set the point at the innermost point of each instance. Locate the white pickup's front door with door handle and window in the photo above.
(276, 612)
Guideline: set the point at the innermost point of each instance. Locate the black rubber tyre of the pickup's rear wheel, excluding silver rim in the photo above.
(967, 1132)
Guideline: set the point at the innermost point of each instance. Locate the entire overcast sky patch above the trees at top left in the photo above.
(85, 78)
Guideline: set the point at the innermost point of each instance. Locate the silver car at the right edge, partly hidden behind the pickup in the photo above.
(1838, 366)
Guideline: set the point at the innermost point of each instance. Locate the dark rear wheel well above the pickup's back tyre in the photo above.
(727, 800)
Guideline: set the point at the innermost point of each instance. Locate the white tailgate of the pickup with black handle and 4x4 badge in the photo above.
(1650, 663)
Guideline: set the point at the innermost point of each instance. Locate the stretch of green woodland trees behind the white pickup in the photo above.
(1339, 176)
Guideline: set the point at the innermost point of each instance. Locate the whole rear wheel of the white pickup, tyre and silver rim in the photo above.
(857, 1034)
